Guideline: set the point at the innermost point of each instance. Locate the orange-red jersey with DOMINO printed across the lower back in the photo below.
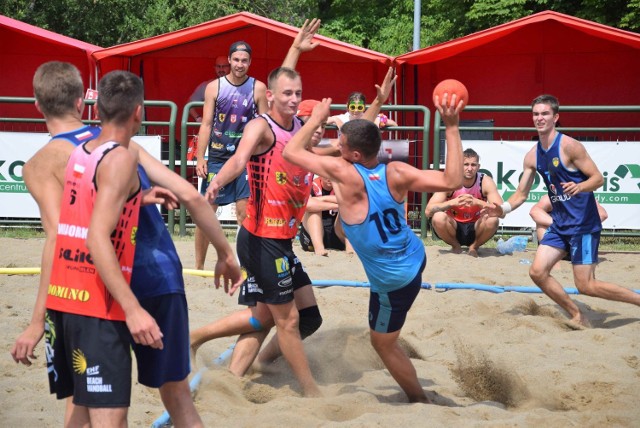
(75, 285)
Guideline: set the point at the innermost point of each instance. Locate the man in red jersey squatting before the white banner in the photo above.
(455, 216)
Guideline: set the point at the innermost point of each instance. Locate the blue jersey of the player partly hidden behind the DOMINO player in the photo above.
(157, 269)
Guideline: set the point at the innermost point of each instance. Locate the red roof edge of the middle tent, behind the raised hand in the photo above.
(221, 25)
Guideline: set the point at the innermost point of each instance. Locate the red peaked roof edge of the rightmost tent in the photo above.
(453, 47)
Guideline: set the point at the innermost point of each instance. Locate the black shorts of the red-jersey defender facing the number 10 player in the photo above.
(273, 270)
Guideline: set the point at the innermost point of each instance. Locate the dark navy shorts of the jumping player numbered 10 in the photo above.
(388, 310)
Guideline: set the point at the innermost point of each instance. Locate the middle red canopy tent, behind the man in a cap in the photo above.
(173, 64)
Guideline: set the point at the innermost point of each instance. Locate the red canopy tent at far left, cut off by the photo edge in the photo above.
(24, 49)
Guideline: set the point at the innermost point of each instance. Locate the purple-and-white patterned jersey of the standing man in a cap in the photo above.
(234, 107)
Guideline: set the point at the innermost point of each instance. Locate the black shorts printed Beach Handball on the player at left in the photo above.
(88, 358)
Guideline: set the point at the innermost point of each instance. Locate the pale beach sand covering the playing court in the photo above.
(485, 359)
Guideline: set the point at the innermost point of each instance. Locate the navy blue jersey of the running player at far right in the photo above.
(577, 214)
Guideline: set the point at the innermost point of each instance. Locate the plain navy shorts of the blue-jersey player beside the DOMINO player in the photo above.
(172, 363)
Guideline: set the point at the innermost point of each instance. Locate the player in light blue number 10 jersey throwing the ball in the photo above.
(371, 204)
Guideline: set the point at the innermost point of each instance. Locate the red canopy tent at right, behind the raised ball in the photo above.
(580, 62)
